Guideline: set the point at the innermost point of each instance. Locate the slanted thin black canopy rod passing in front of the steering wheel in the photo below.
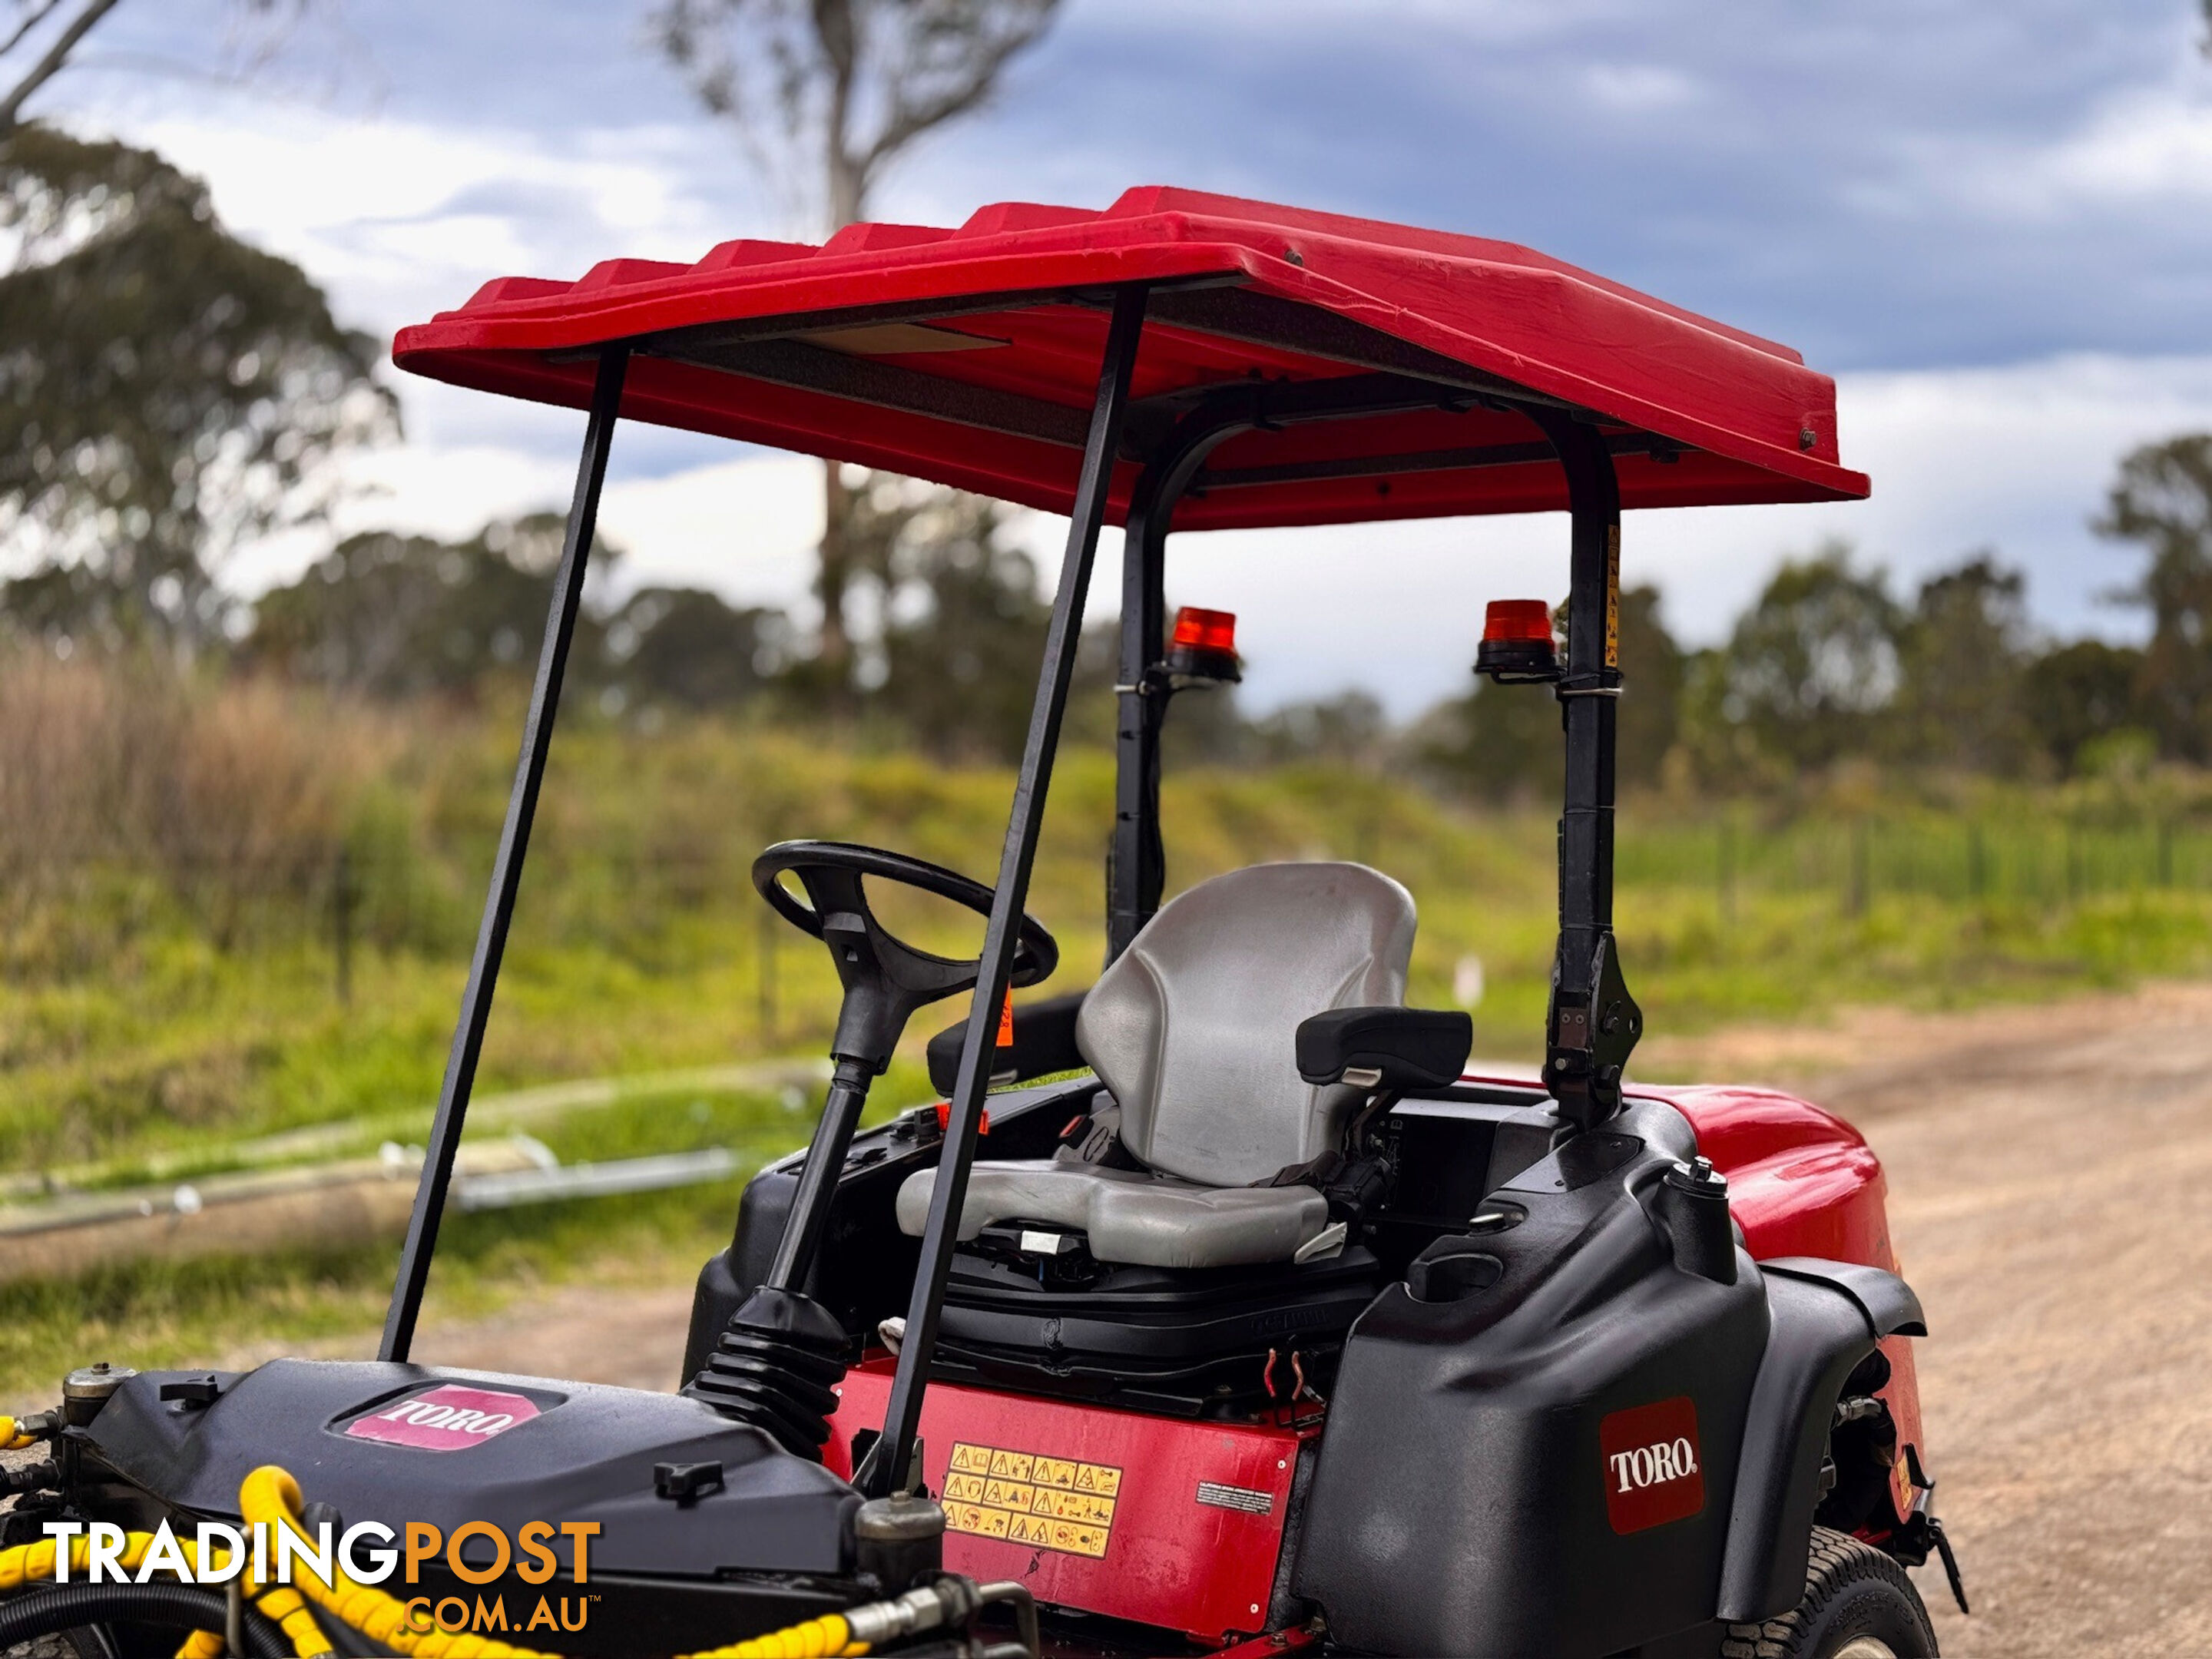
(895, 1465)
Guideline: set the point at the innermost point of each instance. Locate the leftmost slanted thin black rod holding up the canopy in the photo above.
(508, 864)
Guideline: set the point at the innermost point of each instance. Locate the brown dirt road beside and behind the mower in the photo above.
(2049, 1193)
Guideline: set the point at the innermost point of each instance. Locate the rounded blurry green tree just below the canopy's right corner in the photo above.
(1813, 665)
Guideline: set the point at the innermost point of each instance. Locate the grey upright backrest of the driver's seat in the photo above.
(1196, 1025)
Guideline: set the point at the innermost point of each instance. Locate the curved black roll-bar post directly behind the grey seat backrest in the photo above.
(1138, 862)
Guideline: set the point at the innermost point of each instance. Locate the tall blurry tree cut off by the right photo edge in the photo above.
(2164, 503)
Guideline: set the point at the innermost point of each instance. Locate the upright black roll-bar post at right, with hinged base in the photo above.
(1592, 1023)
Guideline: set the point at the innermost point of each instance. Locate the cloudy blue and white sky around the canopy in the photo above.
(1992, 222)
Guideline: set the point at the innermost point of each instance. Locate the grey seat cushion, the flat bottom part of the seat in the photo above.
(1134, 1218)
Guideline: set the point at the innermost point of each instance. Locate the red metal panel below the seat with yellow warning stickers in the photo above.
(1187, 1541)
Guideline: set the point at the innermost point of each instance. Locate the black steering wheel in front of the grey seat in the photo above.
(886, 979)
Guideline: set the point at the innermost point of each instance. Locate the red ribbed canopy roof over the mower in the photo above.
(972, 357)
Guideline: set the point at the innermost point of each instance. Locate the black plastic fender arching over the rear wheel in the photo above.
(1824, 1317)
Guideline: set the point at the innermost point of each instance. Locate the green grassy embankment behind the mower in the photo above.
(167, 1010)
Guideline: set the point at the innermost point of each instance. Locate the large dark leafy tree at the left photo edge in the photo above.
(167, 393)
